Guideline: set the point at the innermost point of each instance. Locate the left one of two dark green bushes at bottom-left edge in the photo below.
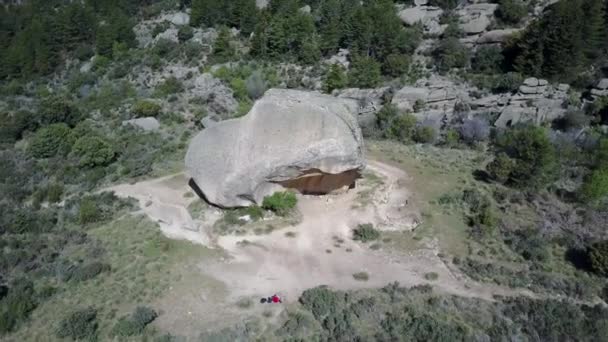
(79, 325)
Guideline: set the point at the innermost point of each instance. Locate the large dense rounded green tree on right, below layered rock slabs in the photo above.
(533, 154)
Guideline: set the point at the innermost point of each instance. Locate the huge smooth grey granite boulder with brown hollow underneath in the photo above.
(290, 138)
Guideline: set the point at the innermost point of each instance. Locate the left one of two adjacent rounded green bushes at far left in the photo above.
(51, 140)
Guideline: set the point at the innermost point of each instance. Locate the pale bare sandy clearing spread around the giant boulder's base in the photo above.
(317, 251)
